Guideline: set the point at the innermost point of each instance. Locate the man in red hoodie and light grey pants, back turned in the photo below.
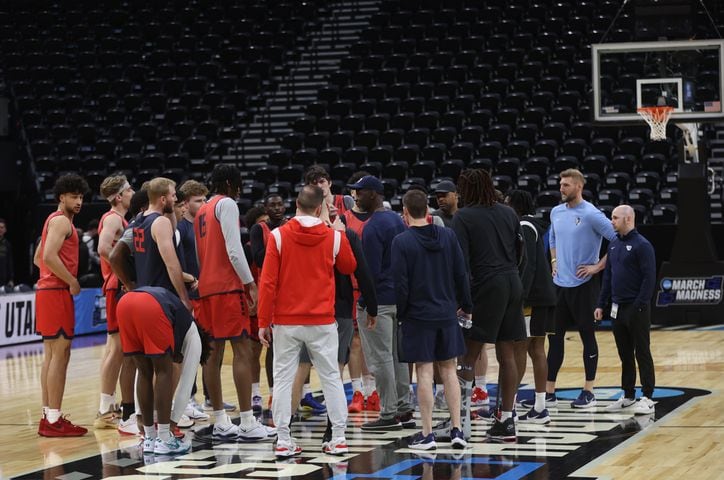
(300, 262)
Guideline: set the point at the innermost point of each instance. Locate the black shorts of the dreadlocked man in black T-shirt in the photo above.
(498, 310)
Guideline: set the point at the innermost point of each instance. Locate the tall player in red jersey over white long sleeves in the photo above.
(223, 280)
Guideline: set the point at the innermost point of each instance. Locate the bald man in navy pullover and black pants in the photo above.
(628, 283)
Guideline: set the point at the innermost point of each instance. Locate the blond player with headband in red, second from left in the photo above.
(118, 192)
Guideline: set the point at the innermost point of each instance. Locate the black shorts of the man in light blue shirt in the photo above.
(575, 306)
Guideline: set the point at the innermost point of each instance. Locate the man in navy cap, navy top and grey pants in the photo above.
(379, 336)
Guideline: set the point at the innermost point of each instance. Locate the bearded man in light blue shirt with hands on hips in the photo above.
(577, 230)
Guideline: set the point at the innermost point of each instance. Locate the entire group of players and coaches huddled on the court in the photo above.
(344, 282)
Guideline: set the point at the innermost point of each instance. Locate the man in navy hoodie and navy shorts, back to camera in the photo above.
(431, 289)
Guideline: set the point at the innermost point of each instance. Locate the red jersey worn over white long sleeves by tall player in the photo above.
(216, 273)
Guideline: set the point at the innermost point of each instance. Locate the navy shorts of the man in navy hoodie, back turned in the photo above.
(419, 342)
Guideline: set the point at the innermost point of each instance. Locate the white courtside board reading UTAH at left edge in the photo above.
(17, 317)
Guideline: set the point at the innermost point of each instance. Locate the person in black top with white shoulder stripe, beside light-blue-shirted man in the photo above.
(539, 295)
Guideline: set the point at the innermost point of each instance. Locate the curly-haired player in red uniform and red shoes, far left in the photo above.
(57, 259)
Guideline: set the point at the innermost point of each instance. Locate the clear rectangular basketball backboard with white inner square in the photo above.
(686, 75)
